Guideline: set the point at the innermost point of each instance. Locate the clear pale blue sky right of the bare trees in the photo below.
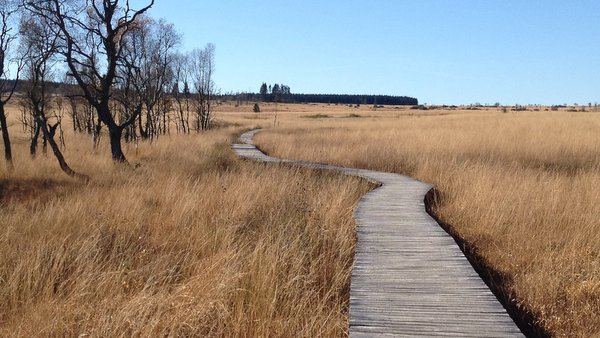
(439, 51)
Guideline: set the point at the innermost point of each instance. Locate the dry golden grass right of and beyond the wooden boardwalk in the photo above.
(522, 187)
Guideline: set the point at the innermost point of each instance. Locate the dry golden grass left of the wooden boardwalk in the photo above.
(193, 243)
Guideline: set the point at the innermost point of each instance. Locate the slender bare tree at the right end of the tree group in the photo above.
(202, 63)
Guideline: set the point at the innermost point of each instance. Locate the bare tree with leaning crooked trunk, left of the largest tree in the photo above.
(39, 47)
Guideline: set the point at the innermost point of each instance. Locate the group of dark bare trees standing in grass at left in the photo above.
(119, 69)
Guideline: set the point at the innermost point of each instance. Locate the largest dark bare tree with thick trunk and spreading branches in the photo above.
(92, 34)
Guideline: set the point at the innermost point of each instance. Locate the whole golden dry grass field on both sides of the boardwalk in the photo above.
(197, 242)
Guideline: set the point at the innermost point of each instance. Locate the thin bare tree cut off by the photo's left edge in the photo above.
(8, 36)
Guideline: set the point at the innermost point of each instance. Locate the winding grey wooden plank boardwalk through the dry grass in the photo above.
(409, 276)
